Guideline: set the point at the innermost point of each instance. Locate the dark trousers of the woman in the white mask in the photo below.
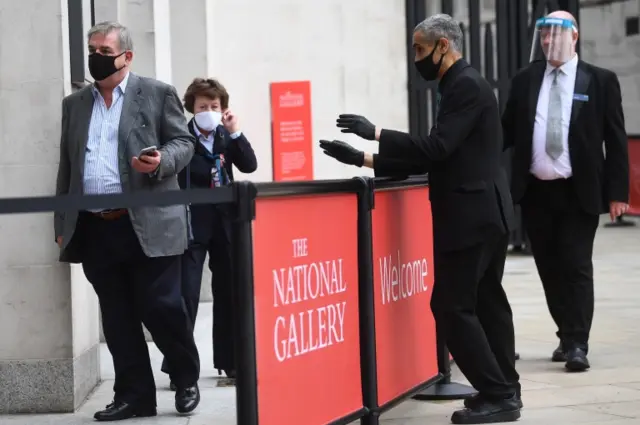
(221, 265)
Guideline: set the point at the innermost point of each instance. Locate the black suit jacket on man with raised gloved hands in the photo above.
(469, 190)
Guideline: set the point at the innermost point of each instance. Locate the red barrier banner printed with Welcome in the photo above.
(406, 351)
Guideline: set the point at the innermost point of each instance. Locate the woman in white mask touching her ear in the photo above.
(219, 145)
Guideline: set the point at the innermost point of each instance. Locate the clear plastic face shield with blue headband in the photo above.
(553, 40)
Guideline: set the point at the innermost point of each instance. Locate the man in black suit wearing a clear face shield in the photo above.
(559, 112)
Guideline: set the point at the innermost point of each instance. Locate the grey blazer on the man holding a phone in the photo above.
(151, 115)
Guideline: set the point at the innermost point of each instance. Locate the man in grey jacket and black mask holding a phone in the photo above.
(130, 256)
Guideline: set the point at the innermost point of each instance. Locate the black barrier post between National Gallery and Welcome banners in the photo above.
(366, 303)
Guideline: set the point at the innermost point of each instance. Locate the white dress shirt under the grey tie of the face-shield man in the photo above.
(542, 165)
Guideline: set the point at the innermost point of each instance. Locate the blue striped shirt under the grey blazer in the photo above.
(101, 168)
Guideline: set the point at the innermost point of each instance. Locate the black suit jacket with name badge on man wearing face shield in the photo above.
(598, 178)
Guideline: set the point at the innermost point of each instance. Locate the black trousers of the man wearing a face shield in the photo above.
(562, 236)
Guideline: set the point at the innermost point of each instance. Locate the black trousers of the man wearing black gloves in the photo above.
(474, 316)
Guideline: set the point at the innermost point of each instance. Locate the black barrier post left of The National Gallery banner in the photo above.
(245, 331)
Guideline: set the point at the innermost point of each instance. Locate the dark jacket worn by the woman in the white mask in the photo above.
(205, 219)
